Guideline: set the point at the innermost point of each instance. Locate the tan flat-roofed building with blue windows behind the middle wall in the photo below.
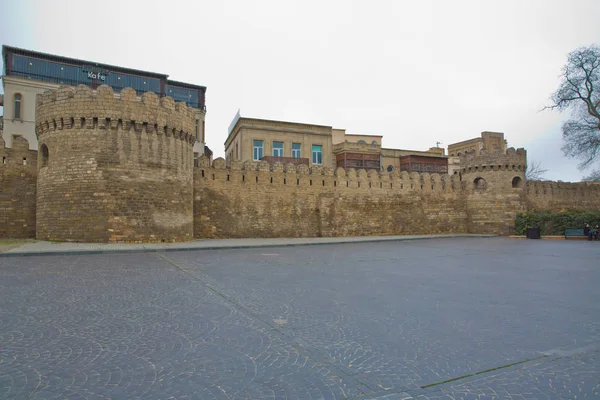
(253, 139)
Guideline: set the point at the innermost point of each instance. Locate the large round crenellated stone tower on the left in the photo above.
(113, 167)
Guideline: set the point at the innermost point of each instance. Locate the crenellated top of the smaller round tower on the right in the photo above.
(511, 160)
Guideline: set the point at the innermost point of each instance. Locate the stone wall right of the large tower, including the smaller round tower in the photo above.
(256, 200)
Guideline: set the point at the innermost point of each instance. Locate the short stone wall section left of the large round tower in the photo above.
(18, 176)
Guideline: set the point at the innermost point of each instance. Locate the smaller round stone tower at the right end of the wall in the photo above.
(495, 189)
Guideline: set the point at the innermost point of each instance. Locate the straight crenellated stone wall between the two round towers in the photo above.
(255, 200)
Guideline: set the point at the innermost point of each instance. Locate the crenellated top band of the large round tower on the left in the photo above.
(83, 108)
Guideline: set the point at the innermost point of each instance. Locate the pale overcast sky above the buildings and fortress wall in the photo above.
(416, 72)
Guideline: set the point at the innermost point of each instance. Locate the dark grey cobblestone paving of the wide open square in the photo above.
(434, 319)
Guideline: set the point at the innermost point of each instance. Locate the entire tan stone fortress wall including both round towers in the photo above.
(119, 168)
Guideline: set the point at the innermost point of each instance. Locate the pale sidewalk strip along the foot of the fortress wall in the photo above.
(34, 248)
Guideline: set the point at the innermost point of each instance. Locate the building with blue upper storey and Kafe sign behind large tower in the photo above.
(28, 73)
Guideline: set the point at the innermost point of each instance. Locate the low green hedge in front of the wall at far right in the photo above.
(555, 223)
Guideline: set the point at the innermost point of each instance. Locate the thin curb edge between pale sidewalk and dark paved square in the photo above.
(374, 239)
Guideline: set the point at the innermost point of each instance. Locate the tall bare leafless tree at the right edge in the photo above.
(579, 91)
